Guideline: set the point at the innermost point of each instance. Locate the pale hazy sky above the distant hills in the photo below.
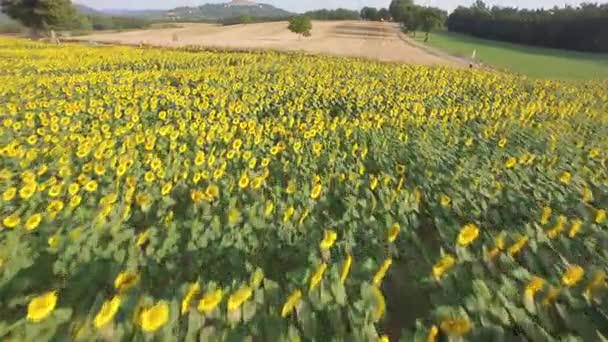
(304, 5)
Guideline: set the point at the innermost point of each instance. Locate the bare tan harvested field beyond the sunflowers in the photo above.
(374, 40)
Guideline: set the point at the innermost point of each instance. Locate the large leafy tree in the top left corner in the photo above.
(40, 15)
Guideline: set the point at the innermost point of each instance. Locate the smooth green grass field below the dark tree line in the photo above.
(531, 61)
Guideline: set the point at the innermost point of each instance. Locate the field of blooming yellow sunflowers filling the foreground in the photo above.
(154, 194)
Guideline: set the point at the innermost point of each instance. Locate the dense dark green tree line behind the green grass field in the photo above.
(582, 28)
